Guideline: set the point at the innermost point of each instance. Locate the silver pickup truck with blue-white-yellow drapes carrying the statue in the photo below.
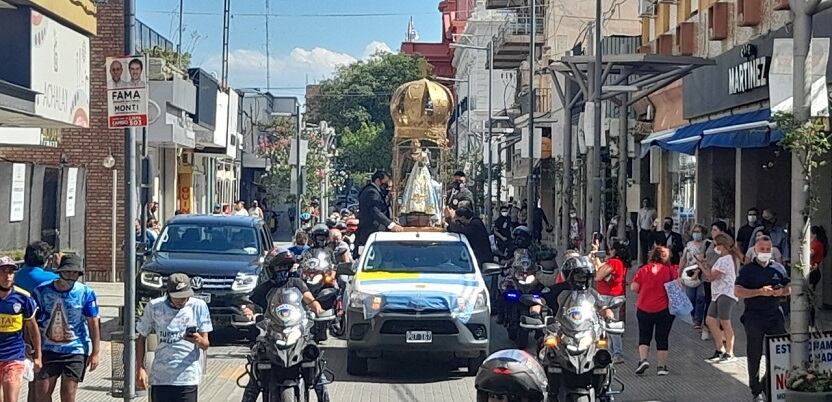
(417, 292)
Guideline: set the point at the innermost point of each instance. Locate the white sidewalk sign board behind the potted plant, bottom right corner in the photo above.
(779, 350)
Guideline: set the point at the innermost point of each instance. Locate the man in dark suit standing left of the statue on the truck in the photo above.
(373, 209)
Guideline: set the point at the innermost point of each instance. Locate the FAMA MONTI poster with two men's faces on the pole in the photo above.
(127, 92)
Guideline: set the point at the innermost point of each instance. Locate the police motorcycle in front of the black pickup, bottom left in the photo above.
(285, 362)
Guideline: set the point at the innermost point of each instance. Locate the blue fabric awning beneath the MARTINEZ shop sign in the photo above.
(745, 130)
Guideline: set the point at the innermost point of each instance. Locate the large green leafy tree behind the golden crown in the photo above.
(356, 102)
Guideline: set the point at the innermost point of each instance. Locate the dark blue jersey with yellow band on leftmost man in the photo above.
(17, 307)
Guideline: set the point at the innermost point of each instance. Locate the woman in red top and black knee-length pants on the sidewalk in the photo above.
(652, 308)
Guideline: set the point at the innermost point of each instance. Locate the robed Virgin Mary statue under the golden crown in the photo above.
(419, 195)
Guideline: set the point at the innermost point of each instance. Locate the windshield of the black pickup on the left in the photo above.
(191, 238)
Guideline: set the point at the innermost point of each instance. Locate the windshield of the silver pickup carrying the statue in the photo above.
(419, 256)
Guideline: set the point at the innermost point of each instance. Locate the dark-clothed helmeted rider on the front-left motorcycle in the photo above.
(280, 265)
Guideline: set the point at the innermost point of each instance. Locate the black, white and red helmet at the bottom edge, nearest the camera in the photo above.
(512, 373)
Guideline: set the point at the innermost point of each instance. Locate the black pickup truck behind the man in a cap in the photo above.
(223, 255)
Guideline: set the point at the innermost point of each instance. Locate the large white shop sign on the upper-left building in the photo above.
(60, 71)
